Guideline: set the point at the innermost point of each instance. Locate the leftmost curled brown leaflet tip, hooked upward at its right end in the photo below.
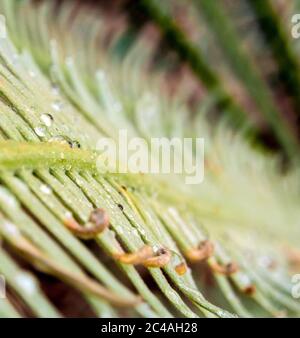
(98, 222)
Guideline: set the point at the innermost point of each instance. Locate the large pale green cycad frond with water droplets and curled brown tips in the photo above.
(61, 92)
